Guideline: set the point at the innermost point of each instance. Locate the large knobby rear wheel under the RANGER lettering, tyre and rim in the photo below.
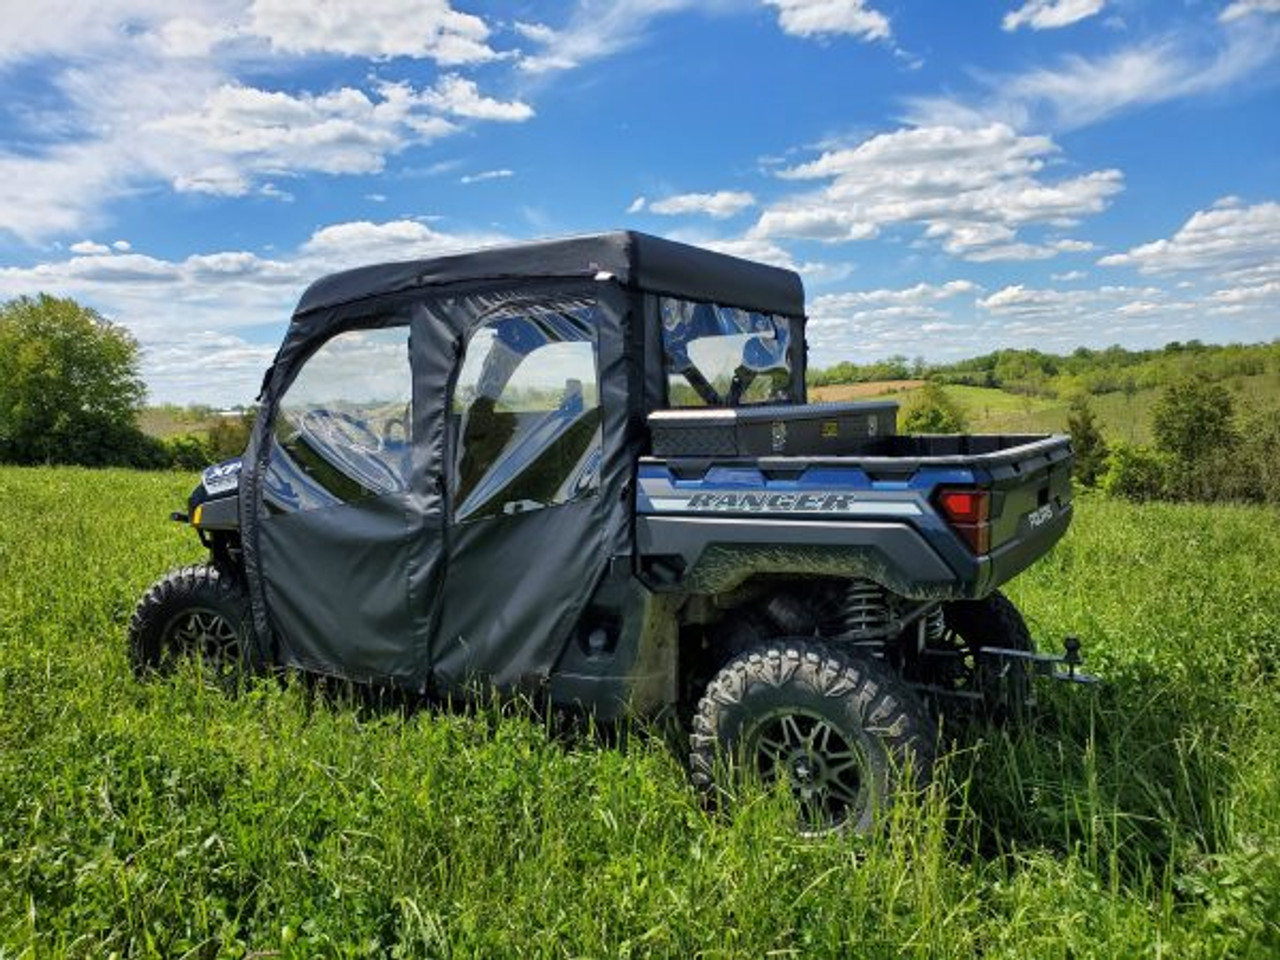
(844, 733)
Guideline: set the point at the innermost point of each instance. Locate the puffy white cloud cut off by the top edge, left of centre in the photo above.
(374, 29)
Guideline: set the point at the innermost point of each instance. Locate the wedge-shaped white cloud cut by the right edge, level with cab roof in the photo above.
(1229, 240)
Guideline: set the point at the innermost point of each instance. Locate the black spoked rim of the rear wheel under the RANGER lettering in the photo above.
(825, 767)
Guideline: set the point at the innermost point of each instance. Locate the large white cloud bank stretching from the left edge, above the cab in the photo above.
(200, 134)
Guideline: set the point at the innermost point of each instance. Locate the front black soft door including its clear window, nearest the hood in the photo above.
(351, 514)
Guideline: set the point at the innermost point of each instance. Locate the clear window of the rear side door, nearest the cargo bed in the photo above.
(527, 414)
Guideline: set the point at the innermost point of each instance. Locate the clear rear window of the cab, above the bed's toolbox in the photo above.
(720, 356)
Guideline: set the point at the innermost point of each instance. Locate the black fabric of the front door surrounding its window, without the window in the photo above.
(350, 591)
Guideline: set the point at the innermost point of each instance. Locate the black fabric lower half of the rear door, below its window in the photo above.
(516, 587)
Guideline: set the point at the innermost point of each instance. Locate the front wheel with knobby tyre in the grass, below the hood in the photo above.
(199, 612)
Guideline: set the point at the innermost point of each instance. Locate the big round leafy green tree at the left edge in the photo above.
(70, 387)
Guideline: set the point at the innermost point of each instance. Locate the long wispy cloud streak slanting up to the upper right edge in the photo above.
(1080, 90)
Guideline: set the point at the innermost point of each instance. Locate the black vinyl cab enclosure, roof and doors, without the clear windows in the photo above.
(395, 588)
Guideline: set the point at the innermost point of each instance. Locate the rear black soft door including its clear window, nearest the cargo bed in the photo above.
(525, 540)
